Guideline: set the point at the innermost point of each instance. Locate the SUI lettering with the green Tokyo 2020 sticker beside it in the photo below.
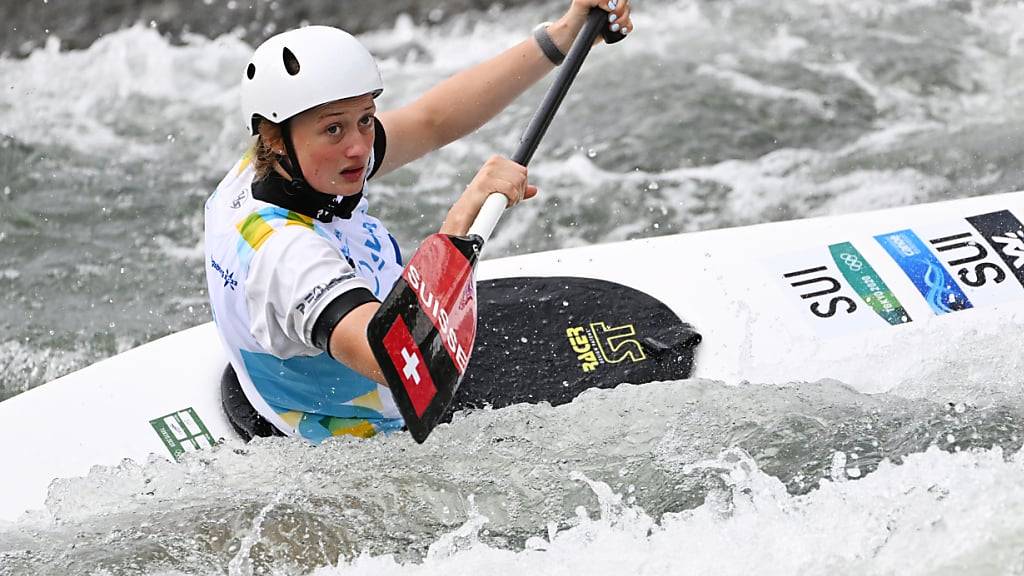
(839, 292)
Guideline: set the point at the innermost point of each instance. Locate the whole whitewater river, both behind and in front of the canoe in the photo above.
(719, 113)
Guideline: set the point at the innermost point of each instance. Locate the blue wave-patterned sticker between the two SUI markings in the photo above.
(926, 272)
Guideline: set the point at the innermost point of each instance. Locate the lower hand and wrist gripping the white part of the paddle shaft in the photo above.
(498, 175)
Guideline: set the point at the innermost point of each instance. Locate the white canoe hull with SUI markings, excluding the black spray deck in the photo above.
(844, 298)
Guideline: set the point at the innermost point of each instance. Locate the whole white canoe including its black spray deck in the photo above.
(861, 299)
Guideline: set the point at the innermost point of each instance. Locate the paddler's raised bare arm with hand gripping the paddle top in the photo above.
(468, 100)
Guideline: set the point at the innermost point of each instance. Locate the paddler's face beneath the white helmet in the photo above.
(333, 143)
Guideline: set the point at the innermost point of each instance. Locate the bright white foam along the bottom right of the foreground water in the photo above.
(938, 513)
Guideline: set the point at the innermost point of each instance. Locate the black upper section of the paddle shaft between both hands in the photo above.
(567, 74)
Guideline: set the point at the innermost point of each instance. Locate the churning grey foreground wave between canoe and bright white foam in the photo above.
(672, 447)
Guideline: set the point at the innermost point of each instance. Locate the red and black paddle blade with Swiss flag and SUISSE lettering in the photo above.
(423, 335)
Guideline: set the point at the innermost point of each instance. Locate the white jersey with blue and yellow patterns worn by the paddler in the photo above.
(271, 273)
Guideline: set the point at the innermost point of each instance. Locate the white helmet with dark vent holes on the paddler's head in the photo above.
(332, 66)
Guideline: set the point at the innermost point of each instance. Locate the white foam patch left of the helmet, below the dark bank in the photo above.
(133, 90)
